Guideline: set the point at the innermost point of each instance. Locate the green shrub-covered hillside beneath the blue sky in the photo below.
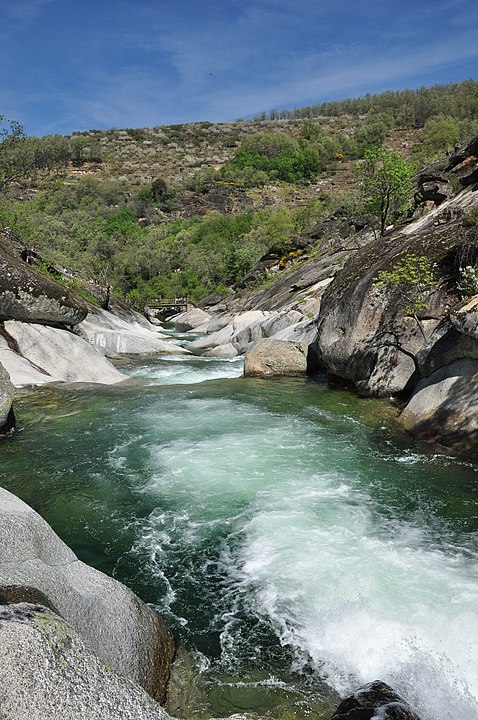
(189, 210)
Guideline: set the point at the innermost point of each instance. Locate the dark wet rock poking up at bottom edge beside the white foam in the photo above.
(374, 701)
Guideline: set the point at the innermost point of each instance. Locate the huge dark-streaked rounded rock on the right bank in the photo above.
(365, 336)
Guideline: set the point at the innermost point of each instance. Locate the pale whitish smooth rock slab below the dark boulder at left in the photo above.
(60, 354)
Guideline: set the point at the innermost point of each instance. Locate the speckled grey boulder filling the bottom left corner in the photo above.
(48, 672)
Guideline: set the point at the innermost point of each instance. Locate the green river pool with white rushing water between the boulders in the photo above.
(295, 542)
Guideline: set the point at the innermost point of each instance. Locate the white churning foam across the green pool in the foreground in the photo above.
(356, 592)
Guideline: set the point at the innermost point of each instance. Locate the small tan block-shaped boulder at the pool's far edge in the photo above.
(276, 357)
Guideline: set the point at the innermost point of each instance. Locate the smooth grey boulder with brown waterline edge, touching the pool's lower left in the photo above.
(36, 566)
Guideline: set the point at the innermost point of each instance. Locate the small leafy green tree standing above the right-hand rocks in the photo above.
(385, 182)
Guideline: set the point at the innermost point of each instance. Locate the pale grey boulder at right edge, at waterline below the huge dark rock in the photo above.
(444, 407)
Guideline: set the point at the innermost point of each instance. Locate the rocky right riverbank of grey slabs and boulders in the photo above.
(402, 338)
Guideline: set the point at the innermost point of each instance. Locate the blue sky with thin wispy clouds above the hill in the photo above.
(70, 65)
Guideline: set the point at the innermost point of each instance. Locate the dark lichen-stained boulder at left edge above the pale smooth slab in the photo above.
(27, 295)
